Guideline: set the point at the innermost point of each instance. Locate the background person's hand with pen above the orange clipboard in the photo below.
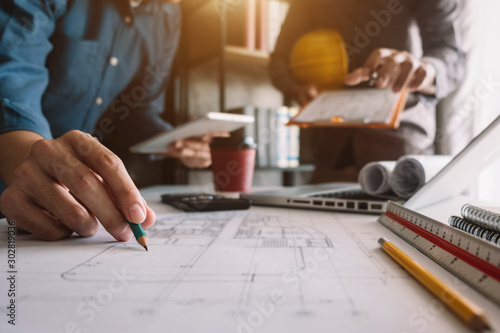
(397, 70)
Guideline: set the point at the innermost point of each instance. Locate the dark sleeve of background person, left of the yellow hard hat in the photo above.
(296, 24)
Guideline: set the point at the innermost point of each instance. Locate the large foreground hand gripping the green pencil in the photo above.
(67, 184)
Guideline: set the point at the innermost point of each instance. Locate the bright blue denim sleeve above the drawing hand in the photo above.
(25, 29)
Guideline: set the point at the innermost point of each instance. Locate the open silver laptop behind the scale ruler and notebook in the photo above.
(452, 180)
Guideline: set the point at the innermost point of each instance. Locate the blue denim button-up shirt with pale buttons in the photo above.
(63, 63)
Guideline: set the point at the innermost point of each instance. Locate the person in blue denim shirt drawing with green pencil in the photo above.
(62, 64)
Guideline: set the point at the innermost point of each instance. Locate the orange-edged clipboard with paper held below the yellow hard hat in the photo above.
(353, 108)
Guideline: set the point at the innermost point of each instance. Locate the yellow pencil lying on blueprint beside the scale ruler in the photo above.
(469, 312)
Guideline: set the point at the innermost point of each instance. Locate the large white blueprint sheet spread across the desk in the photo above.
(262, 270)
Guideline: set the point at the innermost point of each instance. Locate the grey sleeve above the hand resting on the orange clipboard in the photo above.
(438, 24)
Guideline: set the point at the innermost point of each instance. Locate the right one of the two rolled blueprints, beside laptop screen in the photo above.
(413, 171)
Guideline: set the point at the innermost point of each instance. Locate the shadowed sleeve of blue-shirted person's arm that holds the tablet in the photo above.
(142, 120)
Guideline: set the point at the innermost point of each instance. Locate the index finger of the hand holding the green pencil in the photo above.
(111, 169)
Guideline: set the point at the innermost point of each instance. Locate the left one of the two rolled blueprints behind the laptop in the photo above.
(374, 178)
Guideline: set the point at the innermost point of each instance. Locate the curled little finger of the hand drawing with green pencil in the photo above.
(31, 218)
